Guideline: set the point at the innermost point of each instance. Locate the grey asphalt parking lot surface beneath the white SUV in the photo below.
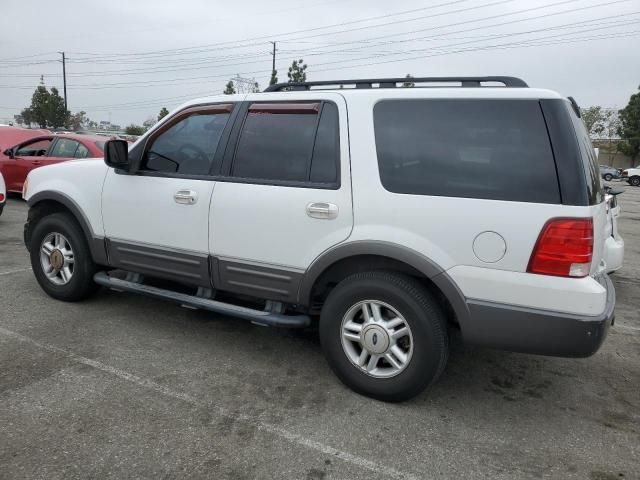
(122, 386)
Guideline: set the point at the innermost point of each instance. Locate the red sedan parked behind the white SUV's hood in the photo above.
(18, 160)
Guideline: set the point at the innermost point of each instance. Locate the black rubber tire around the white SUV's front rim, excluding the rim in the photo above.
(81, 284)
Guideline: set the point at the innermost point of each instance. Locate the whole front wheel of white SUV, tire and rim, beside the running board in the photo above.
(60, 258)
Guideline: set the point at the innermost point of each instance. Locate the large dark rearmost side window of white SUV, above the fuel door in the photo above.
(490, 149)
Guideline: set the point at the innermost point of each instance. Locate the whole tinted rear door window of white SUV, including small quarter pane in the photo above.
(289, 142)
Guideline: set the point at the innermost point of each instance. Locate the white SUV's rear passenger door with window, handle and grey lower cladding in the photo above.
(286, 194)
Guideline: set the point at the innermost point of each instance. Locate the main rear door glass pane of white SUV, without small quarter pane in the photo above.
(275, 146)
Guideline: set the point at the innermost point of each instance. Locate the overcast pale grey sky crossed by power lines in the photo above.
(128, 59)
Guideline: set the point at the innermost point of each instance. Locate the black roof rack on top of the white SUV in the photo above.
(510, 82)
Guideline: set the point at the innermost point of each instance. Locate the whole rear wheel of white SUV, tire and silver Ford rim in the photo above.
(384, 335)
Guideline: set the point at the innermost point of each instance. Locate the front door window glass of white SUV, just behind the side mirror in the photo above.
(187, 147)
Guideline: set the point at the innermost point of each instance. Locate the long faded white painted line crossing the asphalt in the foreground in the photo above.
(265, 427)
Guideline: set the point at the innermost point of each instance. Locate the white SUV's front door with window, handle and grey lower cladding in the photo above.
(157, 219)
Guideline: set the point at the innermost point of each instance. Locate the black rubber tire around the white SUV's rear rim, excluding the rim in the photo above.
(420, 310)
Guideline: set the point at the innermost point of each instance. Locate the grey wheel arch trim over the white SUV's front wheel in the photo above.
(48, 202)
